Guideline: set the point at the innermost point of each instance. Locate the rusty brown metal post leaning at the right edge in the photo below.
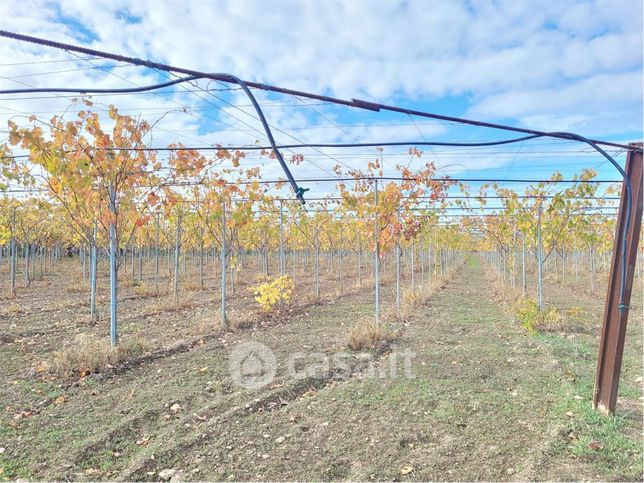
(611, 345)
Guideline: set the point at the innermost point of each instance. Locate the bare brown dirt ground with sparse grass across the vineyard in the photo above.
(482, 399)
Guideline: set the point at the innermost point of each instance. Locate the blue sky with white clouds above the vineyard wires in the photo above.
(548, 65)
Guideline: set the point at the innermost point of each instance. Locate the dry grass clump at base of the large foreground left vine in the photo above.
(88, 354)
